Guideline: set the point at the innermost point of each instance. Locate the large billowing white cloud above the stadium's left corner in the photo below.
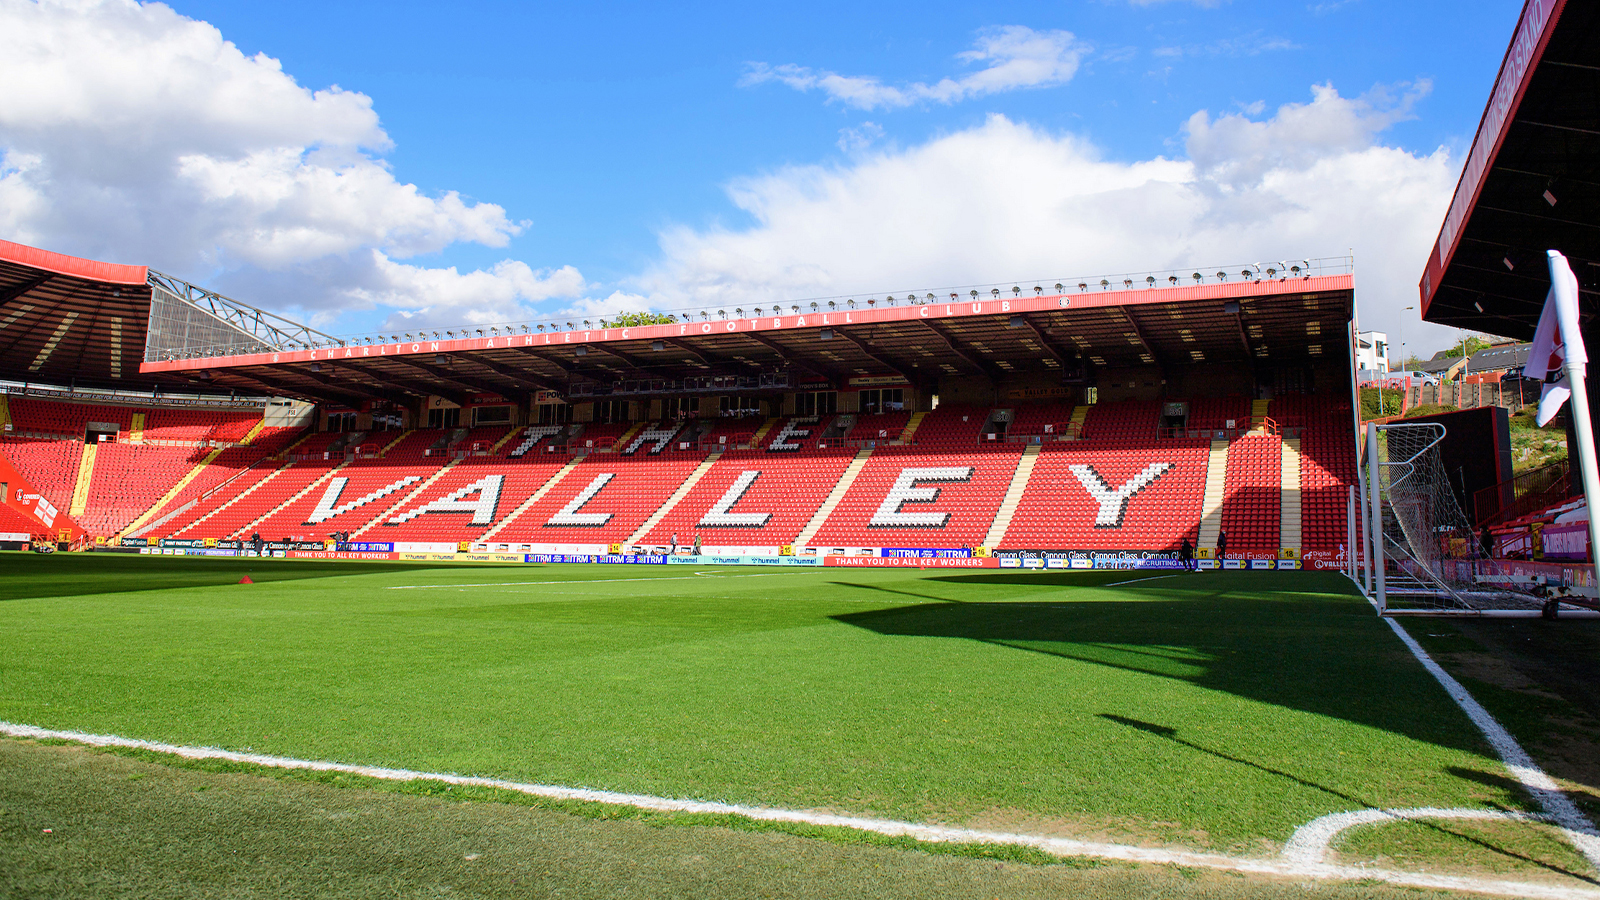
(132, 132)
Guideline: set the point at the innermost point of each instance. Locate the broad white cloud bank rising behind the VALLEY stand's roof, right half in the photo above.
(1007, 201)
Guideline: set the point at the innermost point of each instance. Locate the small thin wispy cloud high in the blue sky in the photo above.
(1012, 58)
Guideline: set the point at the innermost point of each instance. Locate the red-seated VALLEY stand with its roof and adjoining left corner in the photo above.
(1092, 424)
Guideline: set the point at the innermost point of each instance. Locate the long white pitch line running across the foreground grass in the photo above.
(930, 834)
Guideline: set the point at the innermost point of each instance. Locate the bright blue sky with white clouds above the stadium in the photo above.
(652, 158)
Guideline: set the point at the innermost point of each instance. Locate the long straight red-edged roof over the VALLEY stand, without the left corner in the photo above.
(1025, 332)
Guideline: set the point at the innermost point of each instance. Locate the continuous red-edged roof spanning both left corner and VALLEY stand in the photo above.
(68, 321)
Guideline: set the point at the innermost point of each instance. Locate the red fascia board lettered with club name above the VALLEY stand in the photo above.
(804, 323)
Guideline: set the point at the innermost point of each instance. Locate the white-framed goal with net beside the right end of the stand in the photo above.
(1425, 553)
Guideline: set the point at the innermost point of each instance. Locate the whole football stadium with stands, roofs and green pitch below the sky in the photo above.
(1105, 587)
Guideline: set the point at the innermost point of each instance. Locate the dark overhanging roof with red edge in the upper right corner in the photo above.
(1532, 180)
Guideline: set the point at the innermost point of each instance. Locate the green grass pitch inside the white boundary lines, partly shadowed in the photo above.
(1209, 712)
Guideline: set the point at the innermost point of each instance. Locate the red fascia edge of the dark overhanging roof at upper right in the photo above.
(1527, 47)
